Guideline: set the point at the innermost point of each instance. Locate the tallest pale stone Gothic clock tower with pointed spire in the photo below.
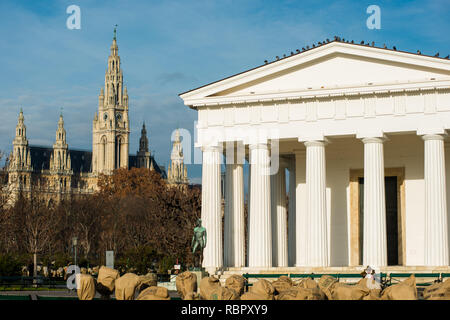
(111, 126)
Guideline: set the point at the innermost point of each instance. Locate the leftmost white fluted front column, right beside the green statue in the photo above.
(211, 211)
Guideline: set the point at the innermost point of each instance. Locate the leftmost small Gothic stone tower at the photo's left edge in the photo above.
(19, 162)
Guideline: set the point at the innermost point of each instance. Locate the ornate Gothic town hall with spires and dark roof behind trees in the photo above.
(59, 172)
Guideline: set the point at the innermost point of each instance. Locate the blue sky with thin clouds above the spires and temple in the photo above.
(168, 47)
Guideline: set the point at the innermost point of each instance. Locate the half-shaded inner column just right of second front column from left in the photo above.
(279, 218)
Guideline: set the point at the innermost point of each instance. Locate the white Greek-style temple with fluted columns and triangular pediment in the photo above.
(361, 134)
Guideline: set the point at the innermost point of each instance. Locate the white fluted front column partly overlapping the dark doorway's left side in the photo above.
(374, 242)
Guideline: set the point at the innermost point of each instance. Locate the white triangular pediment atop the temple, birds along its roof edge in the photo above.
(331, 66)
